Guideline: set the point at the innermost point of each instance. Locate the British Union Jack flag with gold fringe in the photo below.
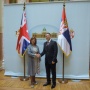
(23, 37)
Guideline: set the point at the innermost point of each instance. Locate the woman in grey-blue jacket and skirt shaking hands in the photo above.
(34, 61)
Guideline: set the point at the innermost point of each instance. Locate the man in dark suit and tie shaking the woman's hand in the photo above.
(50, 51)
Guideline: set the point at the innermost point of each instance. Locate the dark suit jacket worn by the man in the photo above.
(50, 52)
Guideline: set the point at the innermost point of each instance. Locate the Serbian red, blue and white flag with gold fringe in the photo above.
(64, 40)
